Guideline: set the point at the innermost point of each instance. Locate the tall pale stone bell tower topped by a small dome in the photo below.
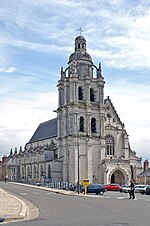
(80, 116)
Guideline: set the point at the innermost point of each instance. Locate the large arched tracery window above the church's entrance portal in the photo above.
(110, 145)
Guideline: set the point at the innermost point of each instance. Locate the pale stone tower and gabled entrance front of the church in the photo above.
(82, 111)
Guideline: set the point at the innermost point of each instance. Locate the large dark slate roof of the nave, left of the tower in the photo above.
(45, 130)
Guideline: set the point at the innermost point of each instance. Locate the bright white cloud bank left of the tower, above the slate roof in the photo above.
(21, 115)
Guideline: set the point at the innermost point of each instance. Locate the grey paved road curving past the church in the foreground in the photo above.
(112, 209)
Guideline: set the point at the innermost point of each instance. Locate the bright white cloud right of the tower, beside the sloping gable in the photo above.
(132, 103)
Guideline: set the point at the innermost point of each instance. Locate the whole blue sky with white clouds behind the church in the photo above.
(36, 39)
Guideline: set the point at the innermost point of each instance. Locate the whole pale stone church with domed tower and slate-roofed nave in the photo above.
(87, 139)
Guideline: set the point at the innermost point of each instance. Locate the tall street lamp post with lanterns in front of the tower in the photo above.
(78, 154)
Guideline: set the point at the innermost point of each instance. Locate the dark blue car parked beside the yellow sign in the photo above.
(94, 188)
